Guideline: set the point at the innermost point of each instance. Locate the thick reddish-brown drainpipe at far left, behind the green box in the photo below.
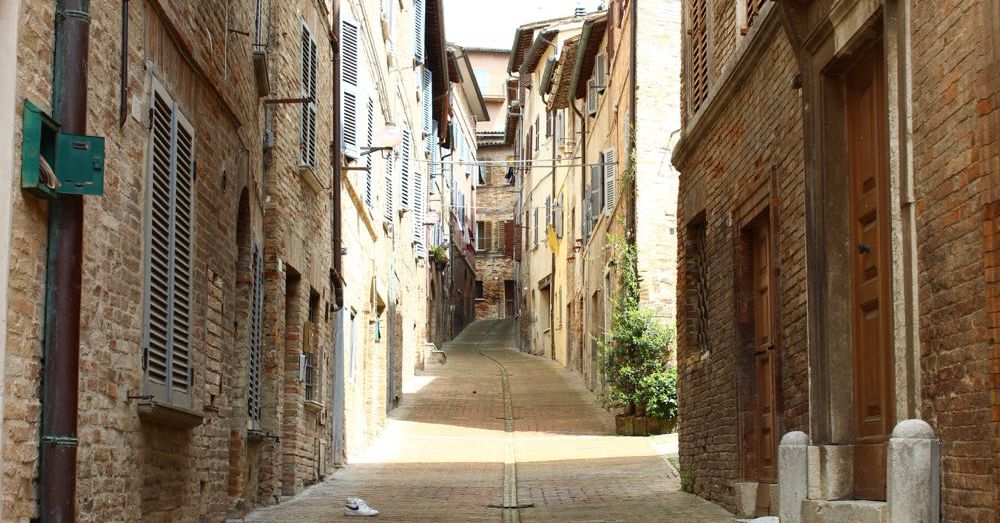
(61, 362)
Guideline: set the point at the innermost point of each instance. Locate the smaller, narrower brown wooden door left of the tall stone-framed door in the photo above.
(764, 352)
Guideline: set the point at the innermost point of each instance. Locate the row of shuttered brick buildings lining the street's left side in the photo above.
(228, 355)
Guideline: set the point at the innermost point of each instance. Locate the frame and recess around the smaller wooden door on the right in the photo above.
(760, 203)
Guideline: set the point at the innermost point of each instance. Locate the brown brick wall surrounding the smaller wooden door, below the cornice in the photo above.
(740, 152)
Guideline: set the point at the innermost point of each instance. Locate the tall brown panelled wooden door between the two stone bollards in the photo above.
(867, 144)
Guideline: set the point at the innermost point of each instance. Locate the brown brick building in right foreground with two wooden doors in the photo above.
(868, 128)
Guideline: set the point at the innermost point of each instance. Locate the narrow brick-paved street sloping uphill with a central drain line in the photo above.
(442, 455)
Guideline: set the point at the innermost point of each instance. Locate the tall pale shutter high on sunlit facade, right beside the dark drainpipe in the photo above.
(350, 87)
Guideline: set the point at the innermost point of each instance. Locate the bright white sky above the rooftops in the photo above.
(491, 23)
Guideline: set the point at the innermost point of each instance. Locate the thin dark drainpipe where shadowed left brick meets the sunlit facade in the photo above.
(335, 203)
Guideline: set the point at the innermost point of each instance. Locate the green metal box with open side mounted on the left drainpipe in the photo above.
(54, 163)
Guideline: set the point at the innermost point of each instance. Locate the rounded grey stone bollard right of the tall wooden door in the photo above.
(914, 473)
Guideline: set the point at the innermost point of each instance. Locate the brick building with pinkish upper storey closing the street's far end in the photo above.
(497, 192)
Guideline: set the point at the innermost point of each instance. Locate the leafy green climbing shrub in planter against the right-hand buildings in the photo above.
(634, 356)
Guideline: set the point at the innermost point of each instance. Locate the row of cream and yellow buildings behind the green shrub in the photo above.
(596, 110)
